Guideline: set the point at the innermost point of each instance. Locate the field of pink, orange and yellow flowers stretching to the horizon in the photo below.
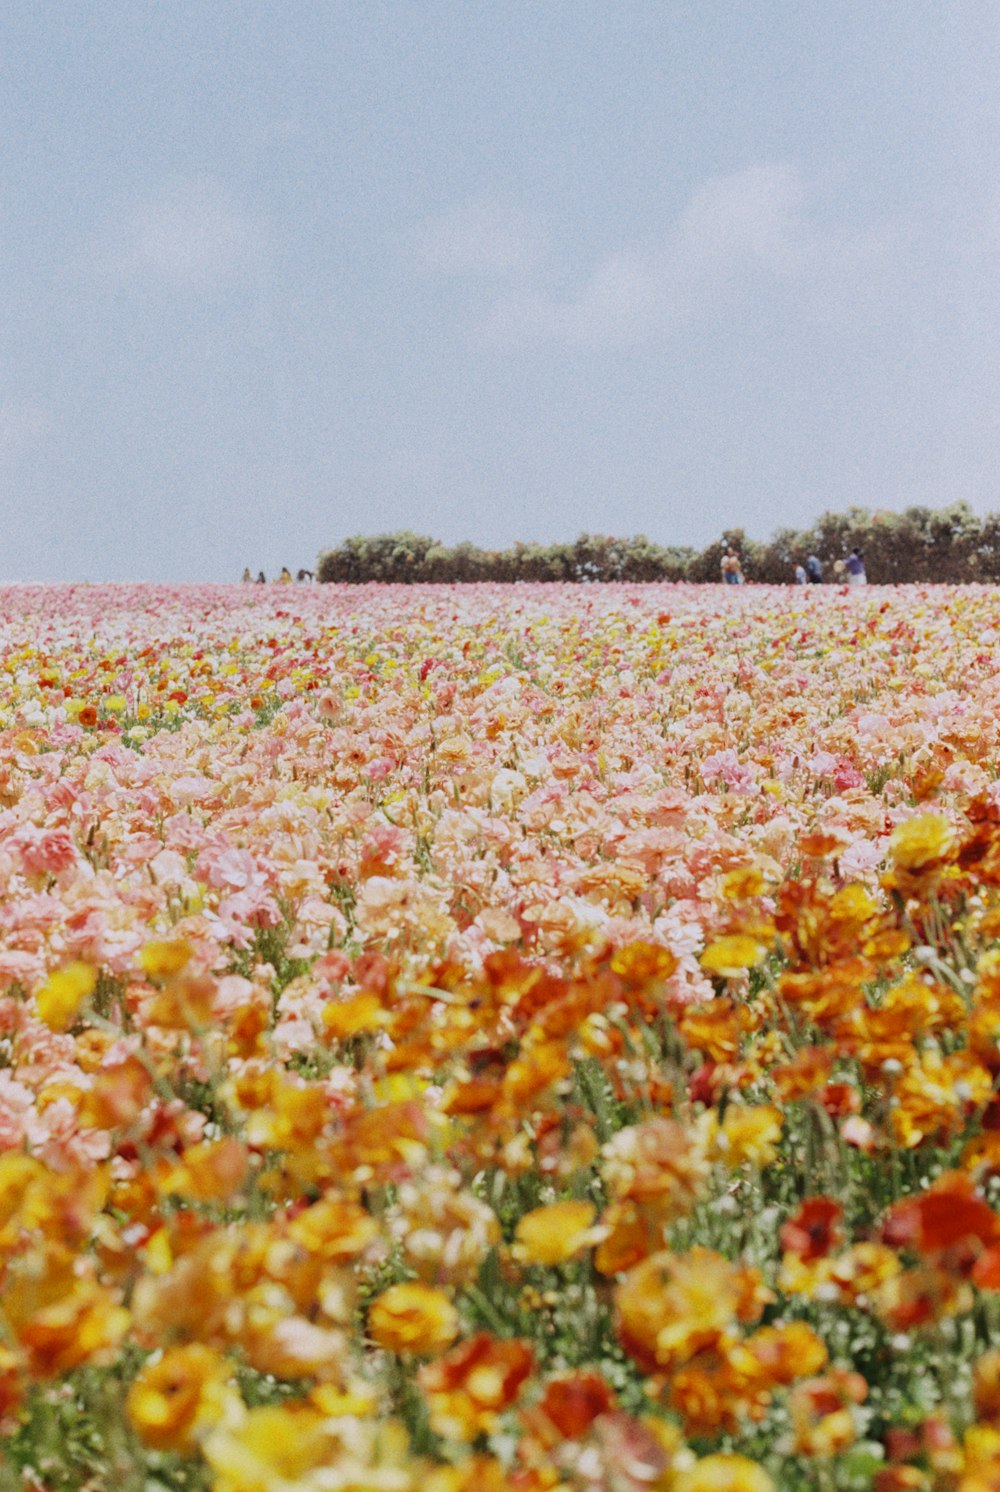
(481, 1039)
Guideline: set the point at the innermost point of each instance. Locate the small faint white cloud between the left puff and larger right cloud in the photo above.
(480, 236)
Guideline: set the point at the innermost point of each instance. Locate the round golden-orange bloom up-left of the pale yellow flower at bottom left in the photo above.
(178, 1397)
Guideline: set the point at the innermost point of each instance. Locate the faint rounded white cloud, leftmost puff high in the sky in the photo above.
(190, 233)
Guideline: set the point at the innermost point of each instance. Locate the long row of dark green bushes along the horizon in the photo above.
(920, 545)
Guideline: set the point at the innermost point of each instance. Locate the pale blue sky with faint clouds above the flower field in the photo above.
(274, 275)
